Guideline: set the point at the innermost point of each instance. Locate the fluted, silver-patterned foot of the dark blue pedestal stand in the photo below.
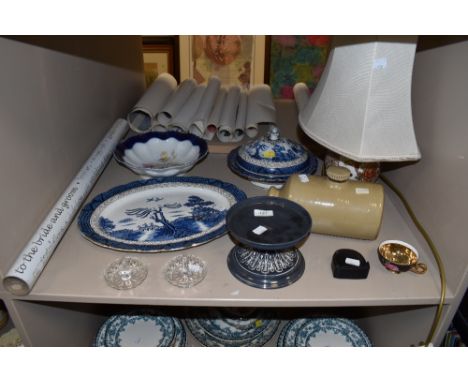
(266, 269)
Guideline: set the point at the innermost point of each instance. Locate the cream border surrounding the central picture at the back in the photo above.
(257, 65)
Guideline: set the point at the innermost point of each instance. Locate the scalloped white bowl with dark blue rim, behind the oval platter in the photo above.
(161, 153)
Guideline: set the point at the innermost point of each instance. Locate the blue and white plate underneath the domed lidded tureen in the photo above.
(266, 175)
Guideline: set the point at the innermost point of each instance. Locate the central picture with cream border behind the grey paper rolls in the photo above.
(234, 59)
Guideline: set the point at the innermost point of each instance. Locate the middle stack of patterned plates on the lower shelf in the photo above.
(220, 329)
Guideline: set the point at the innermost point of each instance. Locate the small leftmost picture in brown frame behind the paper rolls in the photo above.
(159, 56)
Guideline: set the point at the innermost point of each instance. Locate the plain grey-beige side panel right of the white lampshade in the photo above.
(437, 186)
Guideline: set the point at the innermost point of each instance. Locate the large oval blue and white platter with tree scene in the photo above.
(159, 214)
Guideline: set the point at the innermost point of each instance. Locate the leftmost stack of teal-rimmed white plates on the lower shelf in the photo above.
(143, 329)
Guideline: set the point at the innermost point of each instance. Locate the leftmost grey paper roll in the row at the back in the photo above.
(153, 100)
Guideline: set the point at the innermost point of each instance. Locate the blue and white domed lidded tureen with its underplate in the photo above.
(272, 158)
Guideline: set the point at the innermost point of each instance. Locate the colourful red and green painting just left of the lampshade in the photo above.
(296, 59)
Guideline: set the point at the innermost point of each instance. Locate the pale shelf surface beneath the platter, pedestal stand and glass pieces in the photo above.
(75, 271)
